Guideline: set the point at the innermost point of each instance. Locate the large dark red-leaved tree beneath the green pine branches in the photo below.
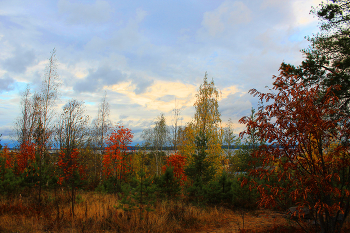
(304, 146)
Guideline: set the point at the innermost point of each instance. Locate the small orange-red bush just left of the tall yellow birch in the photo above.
(178, 162)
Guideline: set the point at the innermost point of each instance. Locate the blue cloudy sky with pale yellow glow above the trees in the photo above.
(147, 55)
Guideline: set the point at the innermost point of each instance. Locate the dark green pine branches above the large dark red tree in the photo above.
(327, 60)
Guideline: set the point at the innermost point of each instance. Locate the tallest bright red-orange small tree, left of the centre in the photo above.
(115, 160)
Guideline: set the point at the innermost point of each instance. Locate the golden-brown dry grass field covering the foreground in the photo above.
(98, 213)
